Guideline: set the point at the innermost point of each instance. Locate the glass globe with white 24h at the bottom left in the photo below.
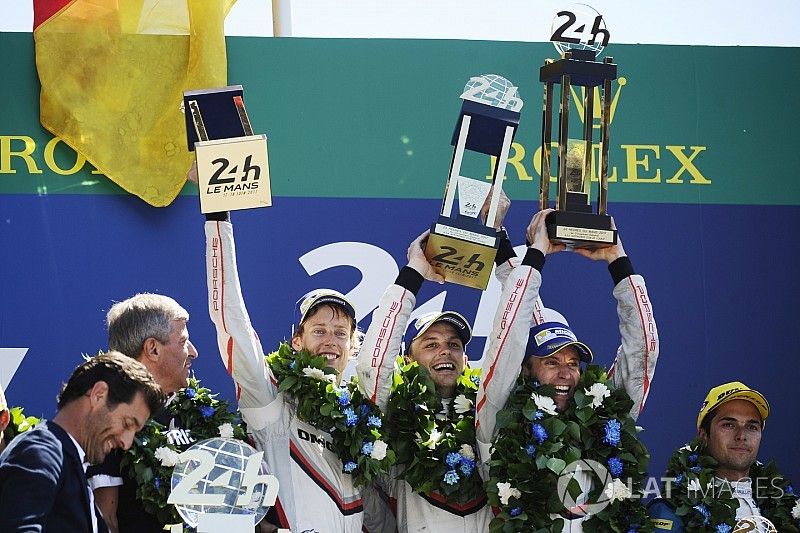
(222, 476)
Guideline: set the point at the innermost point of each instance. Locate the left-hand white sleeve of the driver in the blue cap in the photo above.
(501, 367)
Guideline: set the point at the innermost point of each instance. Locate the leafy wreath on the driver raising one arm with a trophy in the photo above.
(354, 423)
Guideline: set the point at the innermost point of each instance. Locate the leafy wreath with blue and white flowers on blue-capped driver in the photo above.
(534, 444)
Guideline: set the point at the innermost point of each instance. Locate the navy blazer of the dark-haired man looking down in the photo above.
(43, 485)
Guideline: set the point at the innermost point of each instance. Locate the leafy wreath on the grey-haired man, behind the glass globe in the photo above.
(204, 416)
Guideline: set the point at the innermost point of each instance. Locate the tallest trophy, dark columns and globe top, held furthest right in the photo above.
(579, 39)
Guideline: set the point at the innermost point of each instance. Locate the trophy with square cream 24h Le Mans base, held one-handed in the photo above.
(232, 162)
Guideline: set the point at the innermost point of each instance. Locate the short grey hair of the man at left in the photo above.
(140, 317)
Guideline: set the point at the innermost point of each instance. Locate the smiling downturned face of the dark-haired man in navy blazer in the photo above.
(107, 429)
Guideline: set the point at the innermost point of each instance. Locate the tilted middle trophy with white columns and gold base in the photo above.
(461, 247)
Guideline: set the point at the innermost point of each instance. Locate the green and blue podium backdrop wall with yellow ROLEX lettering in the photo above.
(359, 142)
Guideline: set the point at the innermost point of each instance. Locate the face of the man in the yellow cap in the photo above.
(734, 439)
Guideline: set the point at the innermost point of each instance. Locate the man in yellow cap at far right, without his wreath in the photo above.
(729, 426)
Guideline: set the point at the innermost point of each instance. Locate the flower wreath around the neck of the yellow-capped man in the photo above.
(691, 472)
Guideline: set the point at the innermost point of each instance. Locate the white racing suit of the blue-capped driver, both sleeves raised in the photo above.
(520, 308)
